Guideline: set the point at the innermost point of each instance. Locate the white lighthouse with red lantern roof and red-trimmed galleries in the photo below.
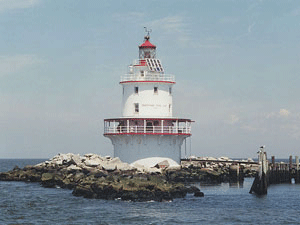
(147, 127)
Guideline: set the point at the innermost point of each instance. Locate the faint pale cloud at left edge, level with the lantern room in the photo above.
(11, 64)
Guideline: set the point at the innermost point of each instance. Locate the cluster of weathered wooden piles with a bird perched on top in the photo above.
(260, 184)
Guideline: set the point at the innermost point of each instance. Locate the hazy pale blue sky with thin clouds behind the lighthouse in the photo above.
(236, 64)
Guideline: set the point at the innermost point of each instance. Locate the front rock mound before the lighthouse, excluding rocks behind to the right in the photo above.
(93, 176)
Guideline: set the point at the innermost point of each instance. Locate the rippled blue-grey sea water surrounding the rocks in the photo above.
(29, 203)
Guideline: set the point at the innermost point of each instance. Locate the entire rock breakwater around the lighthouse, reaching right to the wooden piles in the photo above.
(94, 176)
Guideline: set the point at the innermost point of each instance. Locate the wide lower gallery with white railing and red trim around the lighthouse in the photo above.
(140, 126)
